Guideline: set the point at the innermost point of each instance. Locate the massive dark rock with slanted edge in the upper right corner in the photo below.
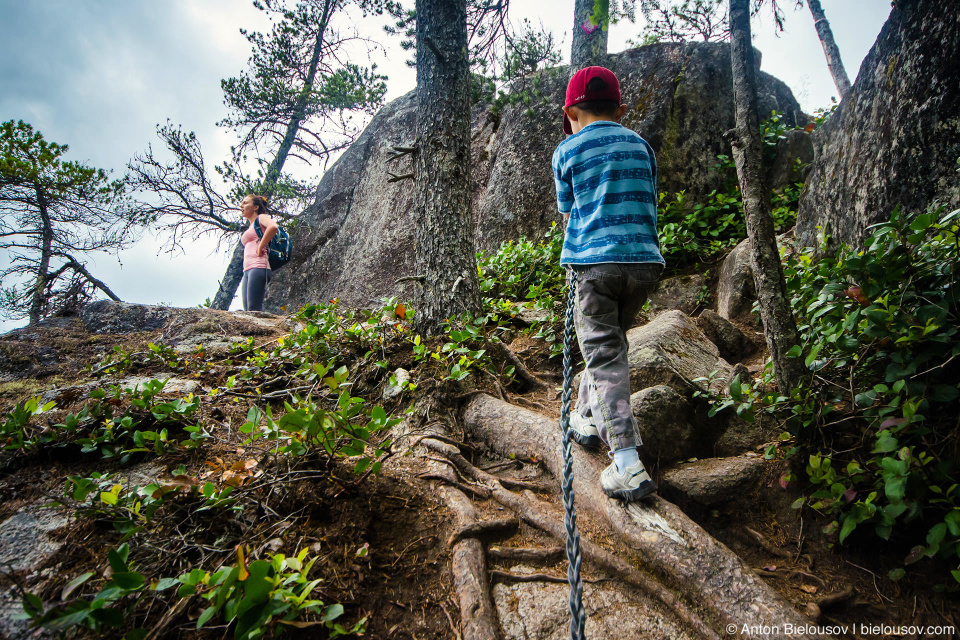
(896, 137)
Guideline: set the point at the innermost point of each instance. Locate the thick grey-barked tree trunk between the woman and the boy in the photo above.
(445, 237)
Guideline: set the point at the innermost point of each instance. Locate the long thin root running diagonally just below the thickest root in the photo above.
(533, 513)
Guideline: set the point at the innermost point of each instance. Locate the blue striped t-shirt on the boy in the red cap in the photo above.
(606, 179)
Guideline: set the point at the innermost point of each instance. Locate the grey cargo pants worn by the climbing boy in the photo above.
(609, 297)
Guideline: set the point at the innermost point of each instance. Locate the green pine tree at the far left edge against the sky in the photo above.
(53, 213)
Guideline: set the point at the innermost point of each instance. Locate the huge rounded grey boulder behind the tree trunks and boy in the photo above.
(357, 237)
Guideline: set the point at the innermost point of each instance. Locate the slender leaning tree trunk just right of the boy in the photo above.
(779, 327)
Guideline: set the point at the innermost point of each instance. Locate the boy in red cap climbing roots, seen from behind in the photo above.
(606, 178)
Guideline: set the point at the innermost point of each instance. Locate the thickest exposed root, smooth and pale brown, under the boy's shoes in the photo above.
(671, 544)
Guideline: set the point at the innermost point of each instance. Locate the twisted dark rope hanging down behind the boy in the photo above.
(578, 616)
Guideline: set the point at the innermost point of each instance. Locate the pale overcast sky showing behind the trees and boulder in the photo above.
(99, 75)
